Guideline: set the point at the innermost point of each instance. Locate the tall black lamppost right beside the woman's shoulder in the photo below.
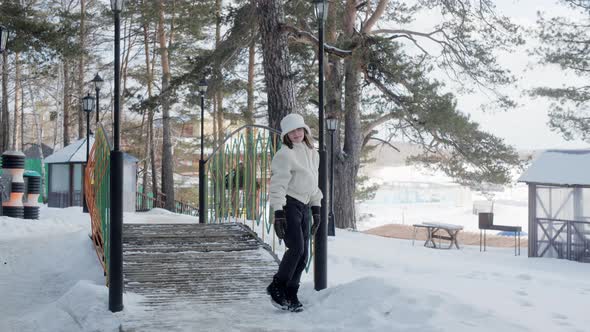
(321, 237)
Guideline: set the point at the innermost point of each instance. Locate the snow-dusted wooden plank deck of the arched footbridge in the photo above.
(175, 265)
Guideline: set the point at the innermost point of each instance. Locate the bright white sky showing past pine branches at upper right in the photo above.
(526, 126)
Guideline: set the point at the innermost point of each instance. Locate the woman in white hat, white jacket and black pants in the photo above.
(293, 189)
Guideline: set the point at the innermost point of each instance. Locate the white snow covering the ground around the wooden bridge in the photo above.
(50, 279)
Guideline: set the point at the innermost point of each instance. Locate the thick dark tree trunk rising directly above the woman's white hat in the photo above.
(275, 54)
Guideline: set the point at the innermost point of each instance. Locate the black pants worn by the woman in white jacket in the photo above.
(297, 242)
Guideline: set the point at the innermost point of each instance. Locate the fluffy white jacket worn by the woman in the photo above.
(295, 173)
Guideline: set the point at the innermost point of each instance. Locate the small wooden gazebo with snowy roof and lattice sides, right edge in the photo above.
(559, 204)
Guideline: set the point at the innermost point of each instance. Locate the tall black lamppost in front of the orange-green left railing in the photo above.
(116, 231)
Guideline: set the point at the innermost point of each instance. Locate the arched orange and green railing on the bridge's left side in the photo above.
(97, 191)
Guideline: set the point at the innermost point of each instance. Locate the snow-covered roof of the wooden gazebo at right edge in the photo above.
(559, 167)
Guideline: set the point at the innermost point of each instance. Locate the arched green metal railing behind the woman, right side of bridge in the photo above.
(238, 178)
